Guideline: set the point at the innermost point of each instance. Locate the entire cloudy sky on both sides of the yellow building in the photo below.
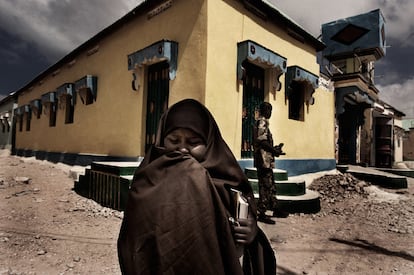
(35, 34)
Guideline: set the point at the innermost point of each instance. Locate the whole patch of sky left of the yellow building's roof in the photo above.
(35, 34)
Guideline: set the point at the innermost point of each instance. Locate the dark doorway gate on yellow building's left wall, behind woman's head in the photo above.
(157, 99)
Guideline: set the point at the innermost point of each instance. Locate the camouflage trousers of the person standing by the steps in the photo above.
(267, 190)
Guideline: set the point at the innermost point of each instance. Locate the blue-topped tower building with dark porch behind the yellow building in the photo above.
(369, 130)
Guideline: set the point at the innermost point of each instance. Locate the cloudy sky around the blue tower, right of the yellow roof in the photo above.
(394, 72)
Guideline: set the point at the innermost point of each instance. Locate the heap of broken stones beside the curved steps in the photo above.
(333, 188)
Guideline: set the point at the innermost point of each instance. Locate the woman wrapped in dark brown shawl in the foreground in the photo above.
(180, 208)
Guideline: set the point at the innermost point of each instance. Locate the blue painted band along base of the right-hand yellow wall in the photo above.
(295, 167)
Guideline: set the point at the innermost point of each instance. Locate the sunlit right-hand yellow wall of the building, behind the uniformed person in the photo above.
(229, 23)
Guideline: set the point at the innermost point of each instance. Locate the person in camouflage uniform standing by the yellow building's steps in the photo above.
(264, 153)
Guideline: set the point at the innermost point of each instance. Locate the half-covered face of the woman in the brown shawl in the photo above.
(186, 141)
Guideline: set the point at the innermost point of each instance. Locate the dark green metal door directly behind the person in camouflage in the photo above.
(253, 96)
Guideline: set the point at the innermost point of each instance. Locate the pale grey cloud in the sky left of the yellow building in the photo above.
(57, 26)
